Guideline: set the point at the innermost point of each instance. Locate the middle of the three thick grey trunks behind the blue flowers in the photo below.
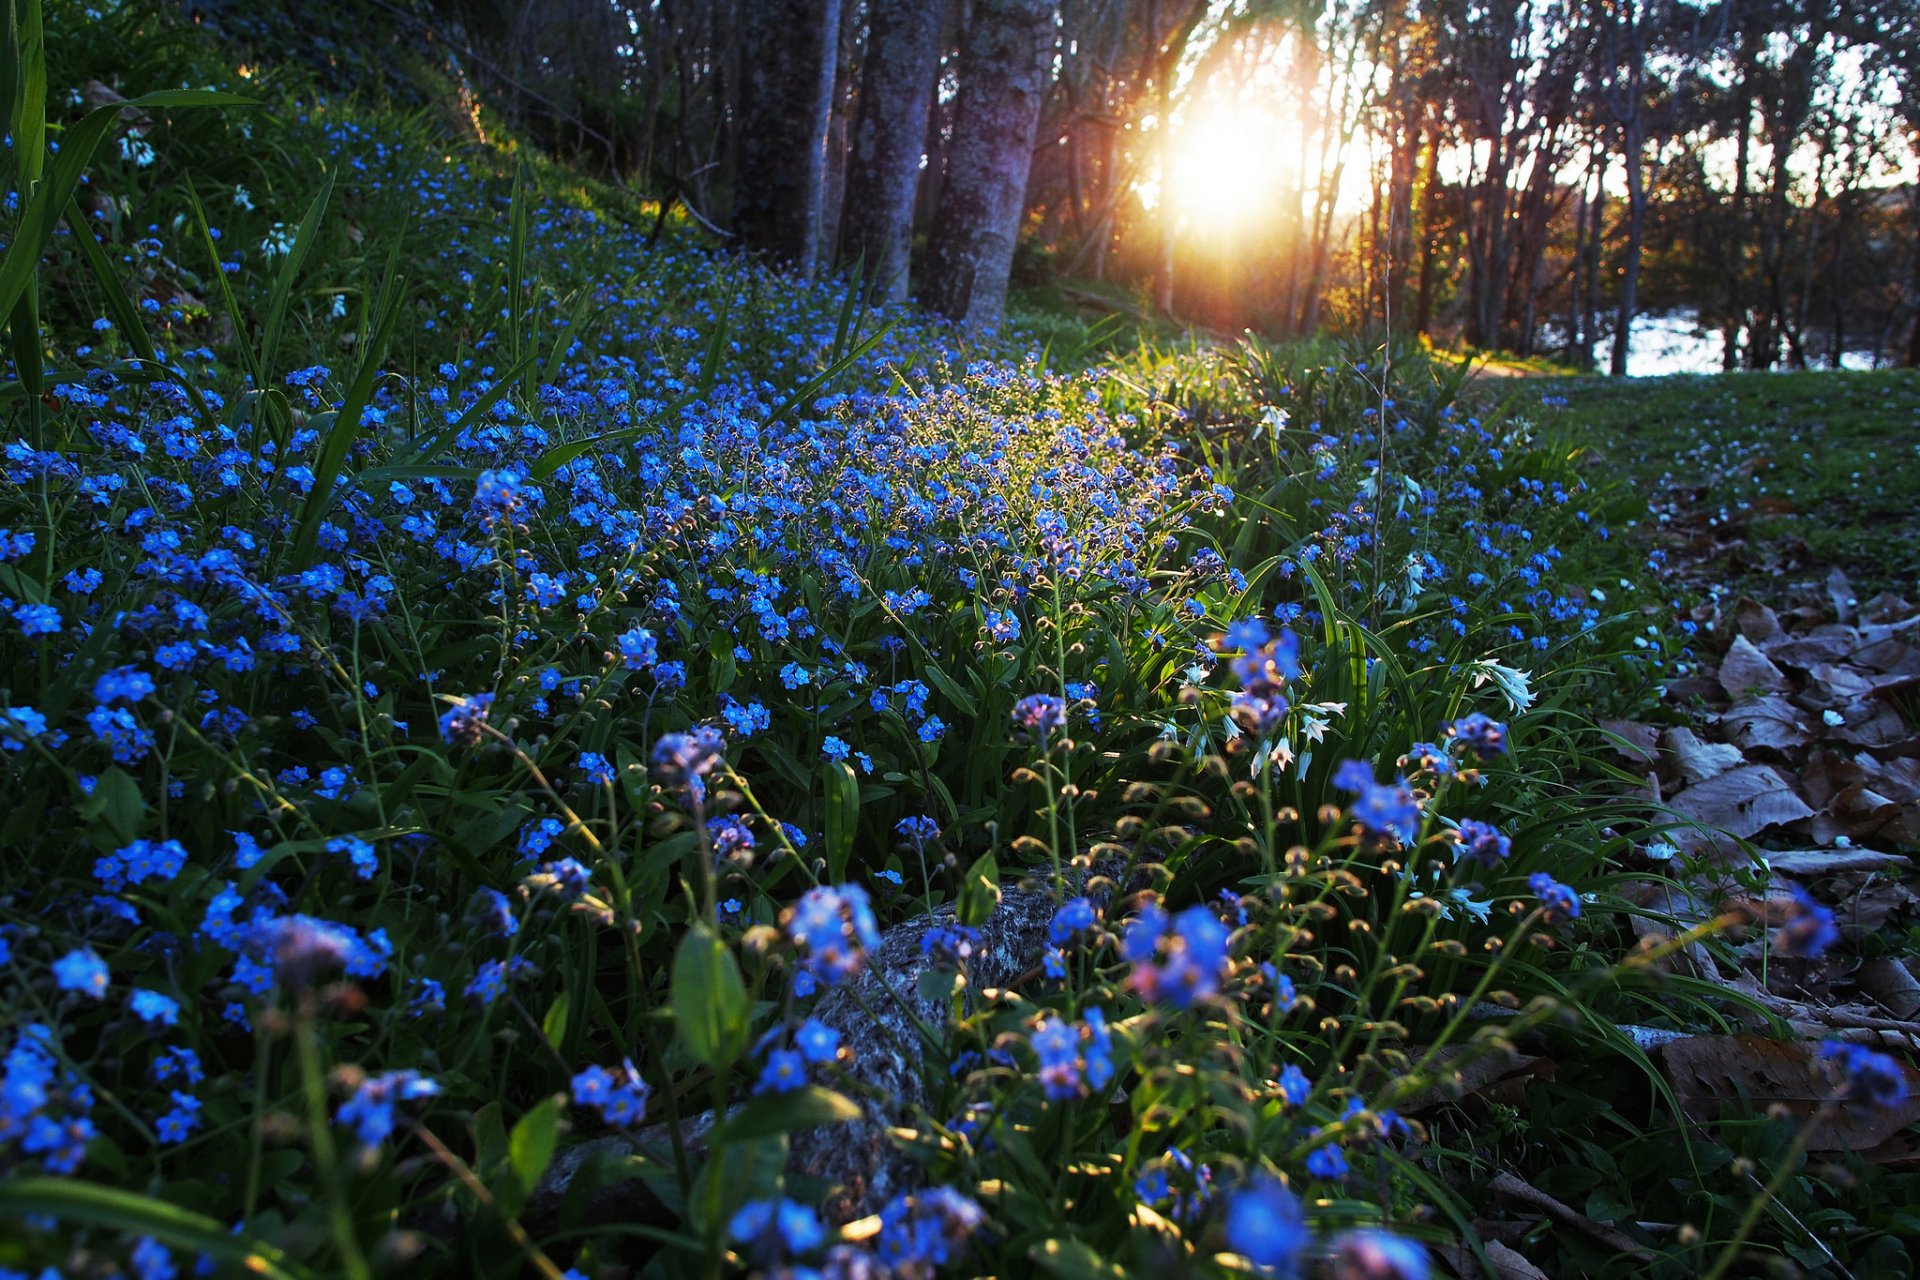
(890, 135)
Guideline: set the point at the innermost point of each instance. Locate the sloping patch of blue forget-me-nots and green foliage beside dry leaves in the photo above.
(539, 746)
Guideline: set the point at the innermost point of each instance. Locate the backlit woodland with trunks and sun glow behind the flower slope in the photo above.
(1516, 174)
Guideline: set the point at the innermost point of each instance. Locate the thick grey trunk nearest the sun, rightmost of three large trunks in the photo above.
(1003, 83)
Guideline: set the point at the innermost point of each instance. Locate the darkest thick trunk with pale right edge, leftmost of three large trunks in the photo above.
(786, 95)
